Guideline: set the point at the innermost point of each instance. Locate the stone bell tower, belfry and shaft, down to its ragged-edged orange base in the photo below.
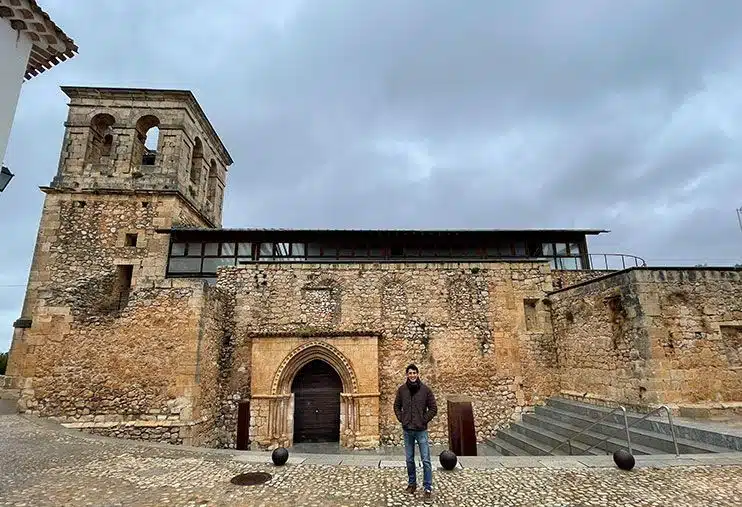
(133, 162)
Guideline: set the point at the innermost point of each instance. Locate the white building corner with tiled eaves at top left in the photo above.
(30, 43)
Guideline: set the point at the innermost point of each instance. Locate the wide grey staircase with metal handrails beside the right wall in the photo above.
(561, 418)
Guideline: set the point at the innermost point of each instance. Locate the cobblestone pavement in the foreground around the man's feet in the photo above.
(42, 464)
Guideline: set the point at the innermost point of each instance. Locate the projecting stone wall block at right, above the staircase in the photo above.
(648, 336)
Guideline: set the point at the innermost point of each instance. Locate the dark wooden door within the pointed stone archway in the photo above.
(317, 388)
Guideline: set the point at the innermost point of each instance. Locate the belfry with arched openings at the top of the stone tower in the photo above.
(122, 140)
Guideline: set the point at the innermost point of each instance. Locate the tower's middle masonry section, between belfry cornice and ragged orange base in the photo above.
(82, 237)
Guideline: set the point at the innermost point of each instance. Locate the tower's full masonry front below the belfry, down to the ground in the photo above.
(94, 353)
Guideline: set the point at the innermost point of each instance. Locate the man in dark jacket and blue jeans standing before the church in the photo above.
(415, 407)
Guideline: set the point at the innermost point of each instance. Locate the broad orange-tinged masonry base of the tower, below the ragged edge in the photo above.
(121, 366)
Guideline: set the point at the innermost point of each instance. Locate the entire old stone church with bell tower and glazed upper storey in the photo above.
(145, 319)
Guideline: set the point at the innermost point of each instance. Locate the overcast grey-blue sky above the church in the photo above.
(426, 114)
